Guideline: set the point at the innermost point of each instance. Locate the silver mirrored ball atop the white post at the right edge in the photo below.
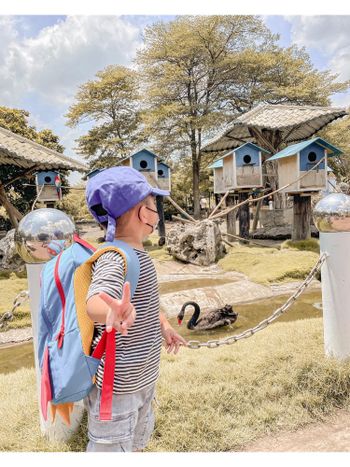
(332, 213)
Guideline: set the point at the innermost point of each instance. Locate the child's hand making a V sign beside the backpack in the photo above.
(121, 313)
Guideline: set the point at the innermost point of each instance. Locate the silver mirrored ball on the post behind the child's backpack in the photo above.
(43, 234)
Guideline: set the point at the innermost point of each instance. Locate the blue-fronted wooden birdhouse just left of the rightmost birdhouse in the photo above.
(240, 168)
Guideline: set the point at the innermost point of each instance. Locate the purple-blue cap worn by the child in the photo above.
(112, 192)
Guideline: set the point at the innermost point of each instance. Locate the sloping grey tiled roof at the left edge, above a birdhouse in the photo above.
(24, 153)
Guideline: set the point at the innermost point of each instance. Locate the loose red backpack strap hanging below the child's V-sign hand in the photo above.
(107, 345)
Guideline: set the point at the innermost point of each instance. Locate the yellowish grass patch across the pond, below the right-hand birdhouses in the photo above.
(266, 265)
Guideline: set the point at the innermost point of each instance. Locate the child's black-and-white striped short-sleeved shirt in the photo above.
(137, 353)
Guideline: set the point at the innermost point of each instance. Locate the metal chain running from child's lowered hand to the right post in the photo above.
(263, 324)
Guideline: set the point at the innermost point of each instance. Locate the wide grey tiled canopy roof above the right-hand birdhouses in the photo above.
(294, 122)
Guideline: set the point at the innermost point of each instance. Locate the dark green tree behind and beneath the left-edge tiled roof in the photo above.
(18, 192)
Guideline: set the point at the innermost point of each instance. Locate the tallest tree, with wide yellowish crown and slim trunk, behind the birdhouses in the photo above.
(199, 72)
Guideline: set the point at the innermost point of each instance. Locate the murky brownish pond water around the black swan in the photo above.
(249, 314)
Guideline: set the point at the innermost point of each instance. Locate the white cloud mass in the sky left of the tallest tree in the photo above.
(62, 56)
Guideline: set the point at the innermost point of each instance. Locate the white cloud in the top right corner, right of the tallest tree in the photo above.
(329, 35)
